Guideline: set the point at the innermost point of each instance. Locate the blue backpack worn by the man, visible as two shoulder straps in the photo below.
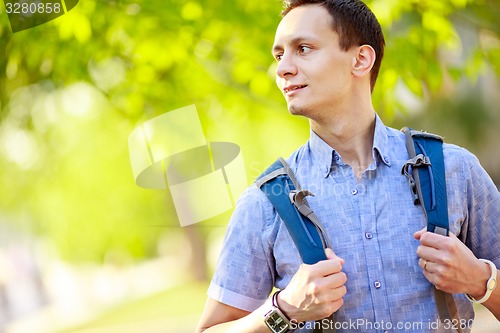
(426, 174)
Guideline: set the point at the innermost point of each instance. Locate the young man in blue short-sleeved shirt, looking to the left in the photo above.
(383, 267)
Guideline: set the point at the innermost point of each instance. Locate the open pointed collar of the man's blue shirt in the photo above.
(325, 156)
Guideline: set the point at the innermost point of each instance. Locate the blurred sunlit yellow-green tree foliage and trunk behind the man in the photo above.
(73, 89)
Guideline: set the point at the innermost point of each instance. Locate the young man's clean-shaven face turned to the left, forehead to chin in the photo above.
(313, 73)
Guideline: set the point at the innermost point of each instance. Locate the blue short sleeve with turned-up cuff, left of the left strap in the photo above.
(244, 276)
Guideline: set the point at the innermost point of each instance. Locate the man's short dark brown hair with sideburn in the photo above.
(355, 24)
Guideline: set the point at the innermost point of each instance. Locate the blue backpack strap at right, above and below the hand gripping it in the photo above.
(428, 183)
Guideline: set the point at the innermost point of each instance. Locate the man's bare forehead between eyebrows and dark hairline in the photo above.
(312, 21)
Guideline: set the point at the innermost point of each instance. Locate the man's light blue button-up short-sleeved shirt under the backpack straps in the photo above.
(370, 225)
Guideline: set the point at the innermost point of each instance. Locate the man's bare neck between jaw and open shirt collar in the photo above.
(350, 132)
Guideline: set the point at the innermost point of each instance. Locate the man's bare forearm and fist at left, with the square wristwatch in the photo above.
(315, 292)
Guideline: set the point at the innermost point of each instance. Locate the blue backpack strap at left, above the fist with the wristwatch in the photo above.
(283, 190)
